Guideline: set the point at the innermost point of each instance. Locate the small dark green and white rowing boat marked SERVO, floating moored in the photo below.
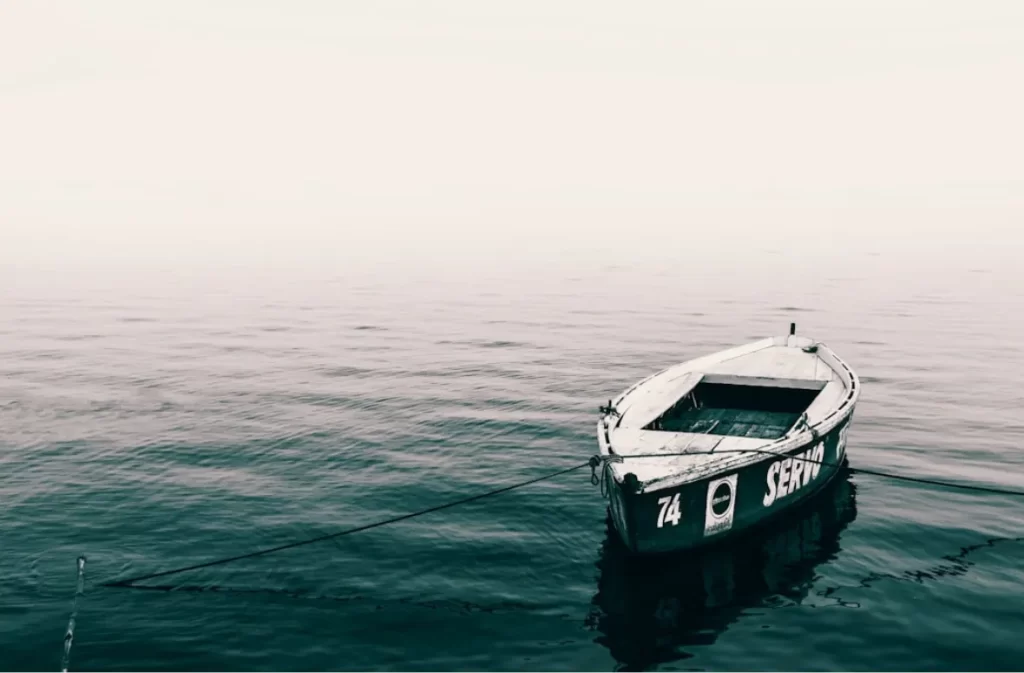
(713, 447)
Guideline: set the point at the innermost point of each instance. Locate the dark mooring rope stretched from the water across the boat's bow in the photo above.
(593, 464)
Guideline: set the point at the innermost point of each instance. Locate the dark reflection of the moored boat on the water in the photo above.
(649, 610)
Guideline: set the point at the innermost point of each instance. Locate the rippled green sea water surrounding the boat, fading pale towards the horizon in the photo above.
(161, 420)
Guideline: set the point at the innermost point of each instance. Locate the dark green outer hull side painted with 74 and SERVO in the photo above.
(727, 504)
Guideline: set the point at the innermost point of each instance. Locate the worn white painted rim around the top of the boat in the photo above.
(680, 475)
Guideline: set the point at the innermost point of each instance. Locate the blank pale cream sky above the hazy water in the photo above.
(354, 133)
